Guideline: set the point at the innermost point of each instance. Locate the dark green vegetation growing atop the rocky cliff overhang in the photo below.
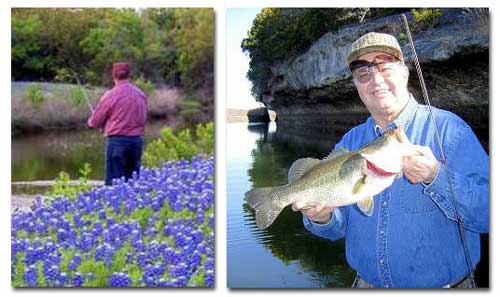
(278, 34)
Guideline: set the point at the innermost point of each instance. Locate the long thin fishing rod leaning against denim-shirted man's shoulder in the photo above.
(463, 238)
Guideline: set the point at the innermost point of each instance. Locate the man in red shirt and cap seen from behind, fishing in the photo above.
(121, 114)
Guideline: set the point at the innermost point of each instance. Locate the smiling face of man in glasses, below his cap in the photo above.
(382, 89)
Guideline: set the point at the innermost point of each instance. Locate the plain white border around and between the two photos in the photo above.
(220, 11)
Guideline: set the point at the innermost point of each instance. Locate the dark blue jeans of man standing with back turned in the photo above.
(123, 156)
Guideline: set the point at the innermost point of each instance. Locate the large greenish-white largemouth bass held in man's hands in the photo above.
(342, 178)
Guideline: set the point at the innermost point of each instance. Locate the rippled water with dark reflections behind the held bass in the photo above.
(285, 254)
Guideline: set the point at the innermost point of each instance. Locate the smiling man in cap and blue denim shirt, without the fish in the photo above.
(424, 229)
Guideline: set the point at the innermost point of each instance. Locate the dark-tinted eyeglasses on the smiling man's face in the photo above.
(362, 70)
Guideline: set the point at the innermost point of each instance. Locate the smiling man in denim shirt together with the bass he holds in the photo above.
(407, 235)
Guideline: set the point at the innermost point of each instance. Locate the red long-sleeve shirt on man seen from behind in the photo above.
(121, 111)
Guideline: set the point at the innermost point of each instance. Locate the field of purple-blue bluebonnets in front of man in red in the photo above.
(154, 230)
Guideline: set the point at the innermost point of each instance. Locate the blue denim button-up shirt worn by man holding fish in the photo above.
(412, 239)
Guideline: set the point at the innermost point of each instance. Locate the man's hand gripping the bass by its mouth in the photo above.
(418, 169)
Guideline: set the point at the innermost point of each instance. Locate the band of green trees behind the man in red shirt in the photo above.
(164, 45)
